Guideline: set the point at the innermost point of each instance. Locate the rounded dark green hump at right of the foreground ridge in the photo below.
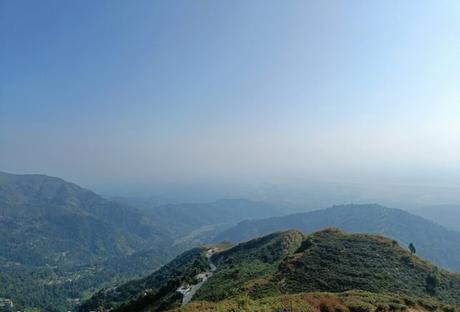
(331, 260)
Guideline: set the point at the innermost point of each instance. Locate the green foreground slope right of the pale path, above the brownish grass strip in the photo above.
(331, 260)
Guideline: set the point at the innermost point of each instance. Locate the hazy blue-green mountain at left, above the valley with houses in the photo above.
(48, 221)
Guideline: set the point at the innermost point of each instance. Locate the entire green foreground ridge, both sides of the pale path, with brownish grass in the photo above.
(366, 273)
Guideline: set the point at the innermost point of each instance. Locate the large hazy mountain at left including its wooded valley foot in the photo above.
(58, 240)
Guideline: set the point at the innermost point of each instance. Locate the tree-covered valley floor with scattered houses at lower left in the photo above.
(40, 287)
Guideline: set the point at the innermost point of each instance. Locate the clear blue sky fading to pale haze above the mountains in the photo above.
(122, 96)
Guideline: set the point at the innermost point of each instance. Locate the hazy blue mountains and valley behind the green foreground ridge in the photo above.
(61, 244)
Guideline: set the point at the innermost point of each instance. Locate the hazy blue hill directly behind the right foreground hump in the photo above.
(432, 241)
